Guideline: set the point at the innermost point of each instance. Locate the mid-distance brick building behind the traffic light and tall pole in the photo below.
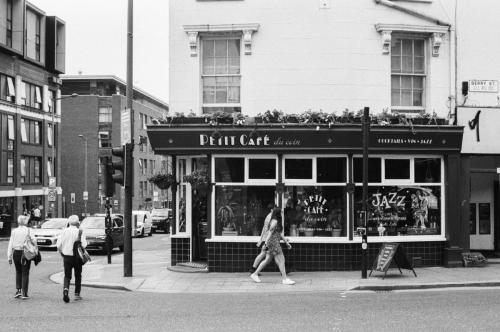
(93, 118)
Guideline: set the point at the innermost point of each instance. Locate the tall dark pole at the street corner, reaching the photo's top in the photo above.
(129, 173)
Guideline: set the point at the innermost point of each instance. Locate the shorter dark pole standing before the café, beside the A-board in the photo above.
(364, 236)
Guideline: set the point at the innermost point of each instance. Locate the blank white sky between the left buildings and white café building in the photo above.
(96, 39)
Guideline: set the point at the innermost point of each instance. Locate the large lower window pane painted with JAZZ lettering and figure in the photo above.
(400, 210)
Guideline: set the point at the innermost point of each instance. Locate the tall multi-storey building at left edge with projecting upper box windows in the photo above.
(32, 56)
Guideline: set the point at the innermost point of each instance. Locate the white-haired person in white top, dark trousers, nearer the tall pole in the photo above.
(71, 260)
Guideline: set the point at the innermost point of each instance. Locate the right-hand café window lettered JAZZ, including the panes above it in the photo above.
(411, 207)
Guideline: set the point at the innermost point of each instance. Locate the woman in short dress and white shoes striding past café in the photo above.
(273, 248)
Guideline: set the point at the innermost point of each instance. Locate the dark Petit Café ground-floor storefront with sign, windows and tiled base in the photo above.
(314, 174)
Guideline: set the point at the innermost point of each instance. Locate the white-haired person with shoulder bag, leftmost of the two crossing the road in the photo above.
(15, 254)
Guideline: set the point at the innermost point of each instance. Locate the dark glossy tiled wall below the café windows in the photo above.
(239, 257)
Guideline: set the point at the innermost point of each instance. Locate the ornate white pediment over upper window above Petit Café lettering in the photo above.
(246, 30)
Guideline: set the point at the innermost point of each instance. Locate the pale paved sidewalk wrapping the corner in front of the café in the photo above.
(150, 274)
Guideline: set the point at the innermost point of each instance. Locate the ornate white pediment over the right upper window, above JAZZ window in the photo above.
(435, 32)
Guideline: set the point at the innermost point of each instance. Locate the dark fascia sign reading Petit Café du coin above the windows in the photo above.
(183, 140)
